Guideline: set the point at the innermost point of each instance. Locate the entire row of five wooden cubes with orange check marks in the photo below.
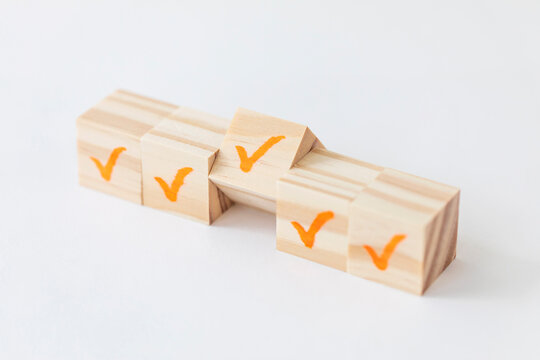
(374, 222)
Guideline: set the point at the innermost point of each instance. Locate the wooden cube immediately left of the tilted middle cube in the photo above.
(177, 156)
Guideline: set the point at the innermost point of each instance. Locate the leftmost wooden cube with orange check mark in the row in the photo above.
(108, 142)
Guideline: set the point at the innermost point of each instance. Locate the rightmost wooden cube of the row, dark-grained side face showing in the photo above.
(403, 230)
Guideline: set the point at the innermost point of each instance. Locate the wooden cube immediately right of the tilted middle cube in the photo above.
(313, 200)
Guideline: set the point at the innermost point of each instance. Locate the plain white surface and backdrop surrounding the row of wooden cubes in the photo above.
(445, 90)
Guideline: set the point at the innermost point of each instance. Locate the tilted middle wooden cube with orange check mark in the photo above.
(255, 153)
